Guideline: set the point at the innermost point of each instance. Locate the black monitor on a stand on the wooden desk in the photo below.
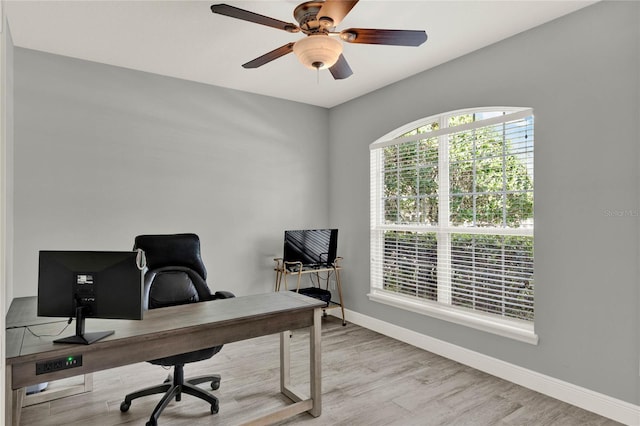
(89, 284)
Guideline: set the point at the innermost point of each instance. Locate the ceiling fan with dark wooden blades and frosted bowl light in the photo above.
(321, 49)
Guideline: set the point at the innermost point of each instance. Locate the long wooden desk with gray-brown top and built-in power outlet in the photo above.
(170, 331)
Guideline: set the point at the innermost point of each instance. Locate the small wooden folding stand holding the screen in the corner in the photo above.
(285, 268)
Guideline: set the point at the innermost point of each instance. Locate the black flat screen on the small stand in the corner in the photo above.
(314, 248)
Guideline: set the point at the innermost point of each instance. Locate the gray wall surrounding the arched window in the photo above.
(580, 74)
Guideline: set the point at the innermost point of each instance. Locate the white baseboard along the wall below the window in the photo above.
(587, 399)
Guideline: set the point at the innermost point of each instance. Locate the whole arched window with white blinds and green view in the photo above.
(452, 219)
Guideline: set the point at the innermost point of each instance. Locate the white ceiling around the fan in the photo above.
(184, 39)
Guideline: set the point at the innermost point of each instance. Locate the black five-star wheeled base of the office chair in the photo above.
(174, 388)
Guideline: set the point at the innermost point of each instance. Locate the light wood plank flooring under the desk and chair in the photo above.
(368, 379)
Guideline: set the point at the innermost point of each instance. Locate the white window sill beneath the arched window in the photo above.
(513, 329)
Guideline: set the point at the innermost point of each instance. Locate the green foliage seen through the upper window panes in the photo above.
(489, 184)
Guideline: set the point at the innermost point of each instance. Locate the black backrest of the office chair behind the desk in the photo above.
(175, 272)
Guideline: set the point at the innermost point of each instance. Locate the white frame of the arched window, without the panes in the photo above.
(517, 329)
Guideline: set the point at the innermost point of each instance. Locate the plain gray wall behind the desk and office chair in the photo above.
(105, 153)
